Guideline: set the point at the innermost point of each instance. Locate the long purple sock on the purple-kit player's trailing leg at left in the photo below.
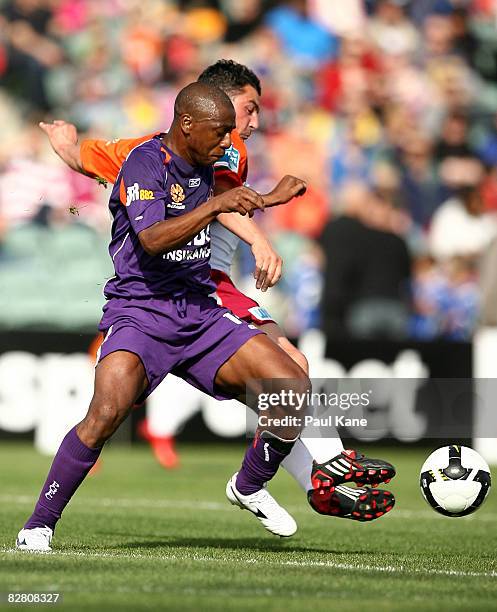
(71, 464)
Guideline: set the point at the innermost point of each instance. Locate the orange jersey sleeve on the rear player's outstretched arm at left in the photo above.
(103, 159)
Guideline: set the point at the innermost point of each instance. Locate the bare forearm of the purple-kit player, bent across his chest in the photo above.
(172, 233)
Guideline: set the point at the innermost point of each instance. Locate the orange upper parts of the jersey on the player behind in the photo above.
(103, 159)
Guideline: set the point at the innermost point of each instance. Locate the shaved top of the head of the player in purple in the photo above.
(202, 101)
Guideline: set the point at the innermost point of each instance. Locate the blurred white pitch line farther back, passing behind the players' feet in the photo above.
(206, 506)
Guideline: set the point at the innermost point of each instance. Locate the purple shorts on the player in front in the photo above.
(190, 337)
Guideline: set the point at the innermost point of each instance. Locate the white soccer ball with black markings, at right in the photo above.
(455, 480)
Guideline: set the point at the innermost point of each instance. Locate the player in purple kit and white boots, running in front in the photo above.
(159, 317)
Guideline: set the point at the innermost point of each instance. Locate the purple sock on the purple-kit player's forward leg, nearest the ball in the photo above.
(260, 464)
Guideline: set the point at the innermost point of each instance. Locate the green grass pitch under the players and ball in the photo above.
(136, 537)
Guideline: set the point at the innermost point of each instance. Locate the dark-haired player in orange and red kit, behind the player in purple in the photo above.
(319, 465)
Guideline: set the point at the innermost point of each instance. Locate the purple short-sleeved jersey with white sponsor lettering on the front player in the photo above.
(155, 184)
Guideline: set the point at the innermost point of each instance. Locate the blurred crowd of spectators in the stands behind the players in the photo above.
(388, 108)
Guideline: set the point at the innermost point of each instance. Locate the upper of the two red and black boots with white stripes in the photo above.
(351, 466)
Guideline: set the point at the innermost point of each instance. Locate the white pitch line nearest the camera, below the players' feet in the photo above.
(359, 567)
